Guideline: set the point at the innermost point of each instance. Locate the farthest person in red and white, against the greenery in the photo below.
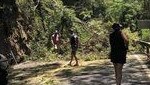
(55, 39)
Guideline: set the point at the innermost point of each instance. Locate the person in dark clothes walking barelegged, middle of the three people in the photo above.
(74, 46)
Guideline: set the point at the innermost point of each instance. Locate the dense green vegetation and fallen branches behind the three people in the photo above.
(91, 19)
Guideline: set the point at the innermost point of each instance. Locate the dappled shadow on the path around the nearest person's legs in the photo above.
(102, 74)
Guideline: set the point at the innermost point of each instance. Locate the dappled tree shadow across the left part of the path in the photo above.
(19, 75)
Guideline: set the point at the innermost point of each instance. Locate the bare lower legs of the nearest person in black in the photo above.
(119, 73)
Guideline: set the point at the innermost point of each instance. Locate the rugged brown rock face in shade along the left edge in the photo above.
(14, 30)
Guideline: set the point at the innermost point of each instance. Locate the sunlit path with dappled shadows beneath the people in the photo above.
(100, 72)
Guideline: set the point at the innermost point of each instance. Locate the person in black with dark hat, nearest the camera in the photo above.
(119, 46)
